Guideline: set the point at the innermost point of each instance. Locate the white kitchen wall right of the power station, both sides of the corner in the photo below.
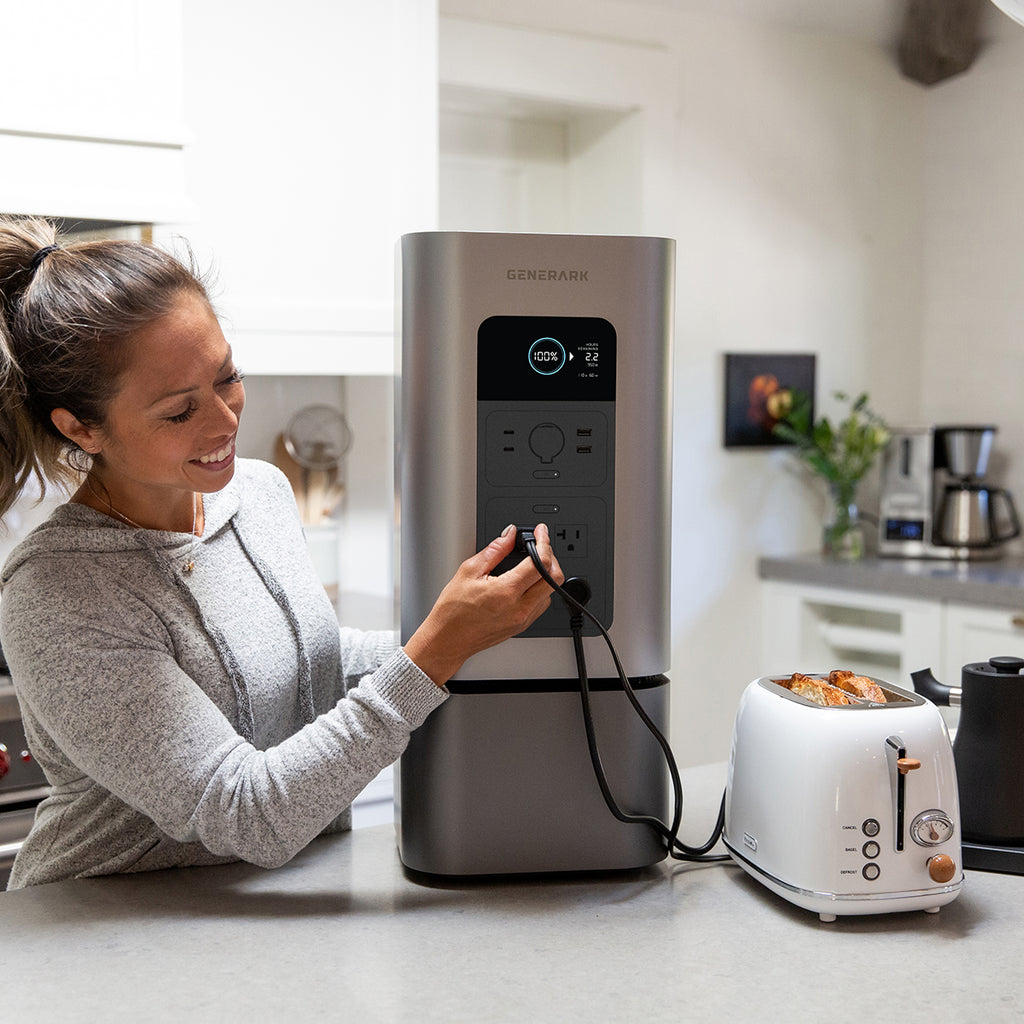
(839, 209)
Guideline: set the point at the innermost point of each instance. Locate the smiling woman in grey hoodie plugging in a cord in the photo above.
(183, 678)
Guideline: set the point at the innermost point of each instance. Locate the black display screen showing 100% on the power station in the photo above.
(546, 359)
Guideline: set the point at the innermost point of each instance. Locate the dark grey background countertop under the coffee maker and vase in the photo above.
(998, 584)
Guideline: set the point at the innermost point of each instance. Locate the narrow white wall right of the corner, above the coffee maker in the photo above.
(973, 366)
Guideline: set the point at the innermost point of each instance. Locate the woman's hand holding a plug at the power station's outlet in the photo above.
(478, 611)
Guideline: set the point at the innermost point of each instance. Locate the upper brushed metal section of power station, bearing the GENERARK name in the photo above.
(451, 283)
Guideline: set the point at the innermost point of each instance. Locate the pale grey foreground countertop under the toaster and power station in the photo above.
(340, 933)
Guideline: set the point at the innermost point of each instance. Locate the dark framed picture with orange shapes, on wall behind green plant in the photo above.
(759, 391)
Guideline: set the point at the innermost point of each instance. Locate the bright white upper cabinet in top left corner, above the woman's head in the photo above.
(92, 125)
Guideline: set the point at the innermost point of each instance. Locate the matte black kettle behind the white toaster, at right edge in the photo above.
(989, 749)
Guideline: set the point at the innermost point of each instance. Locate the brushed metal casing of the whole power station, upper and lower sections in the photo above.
(499, 781)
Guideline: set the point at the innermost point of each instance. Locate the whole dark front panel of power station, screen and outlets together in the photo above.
(546, 415)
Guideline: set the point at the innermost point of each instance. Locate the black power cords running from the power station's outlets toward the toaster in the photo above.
(577, 606)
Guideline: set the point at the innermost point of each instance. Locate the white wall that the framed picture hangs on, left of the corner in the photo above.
(795, 190)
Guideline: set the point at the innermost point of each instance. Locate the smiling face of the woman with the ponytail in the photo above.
(172, 429)
